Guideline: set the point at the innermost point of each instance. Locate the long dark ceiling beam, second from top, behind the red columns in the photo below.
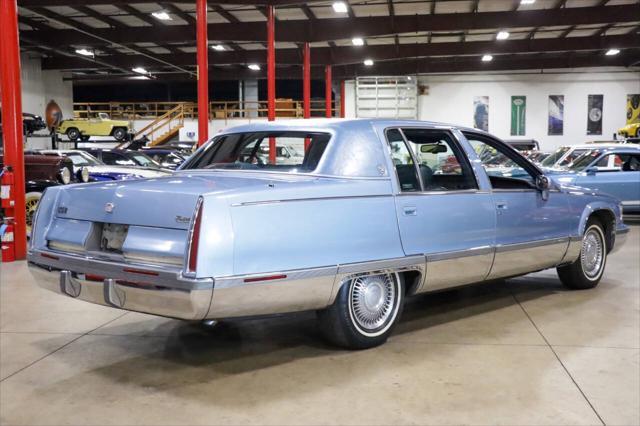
(354, 55)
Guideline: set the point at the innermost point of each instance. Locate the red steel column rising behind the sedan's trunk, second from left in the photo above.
(203, 71)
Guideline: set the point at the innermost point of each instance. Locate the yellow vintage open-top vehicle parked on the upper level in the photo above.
(83, 129)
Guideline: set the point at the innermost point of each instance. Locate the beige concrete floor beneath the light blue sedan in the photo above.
(522, 352)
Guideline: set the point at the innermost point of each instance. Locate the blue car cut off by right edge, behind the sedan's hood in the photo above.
(614, 171)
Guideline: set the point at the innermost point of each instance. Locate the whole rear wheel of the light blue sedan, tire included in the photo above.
(365, 311)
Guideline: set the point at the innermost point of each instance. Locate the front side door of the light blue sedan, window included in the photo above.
(531, 229)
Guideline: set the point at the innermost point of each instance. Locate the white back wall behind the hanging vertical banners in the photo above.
(450, 100)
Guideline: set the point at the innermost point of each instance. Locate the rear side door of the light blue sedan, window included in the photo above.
(442, 213)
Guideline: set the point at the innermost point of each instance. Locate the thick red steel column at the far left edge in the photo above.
(12, 119)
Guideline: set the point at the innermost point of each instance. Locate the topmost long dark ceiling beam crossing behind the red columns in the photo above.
(335, 28)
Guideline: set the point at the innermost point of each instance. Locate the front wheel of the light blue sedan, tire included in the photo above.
(587, 271)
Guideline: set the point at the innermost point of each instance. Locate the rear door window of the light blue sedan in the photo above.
(442, 164)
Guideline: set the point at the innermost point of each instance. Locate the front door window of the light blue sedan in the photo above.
(504, 168)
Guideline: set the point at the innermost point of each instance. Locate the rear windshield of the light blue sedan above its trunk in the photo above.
(295, 152)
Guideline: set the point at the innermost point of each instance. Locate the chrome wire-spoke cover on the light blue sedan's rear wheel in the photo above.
(373, 303)
